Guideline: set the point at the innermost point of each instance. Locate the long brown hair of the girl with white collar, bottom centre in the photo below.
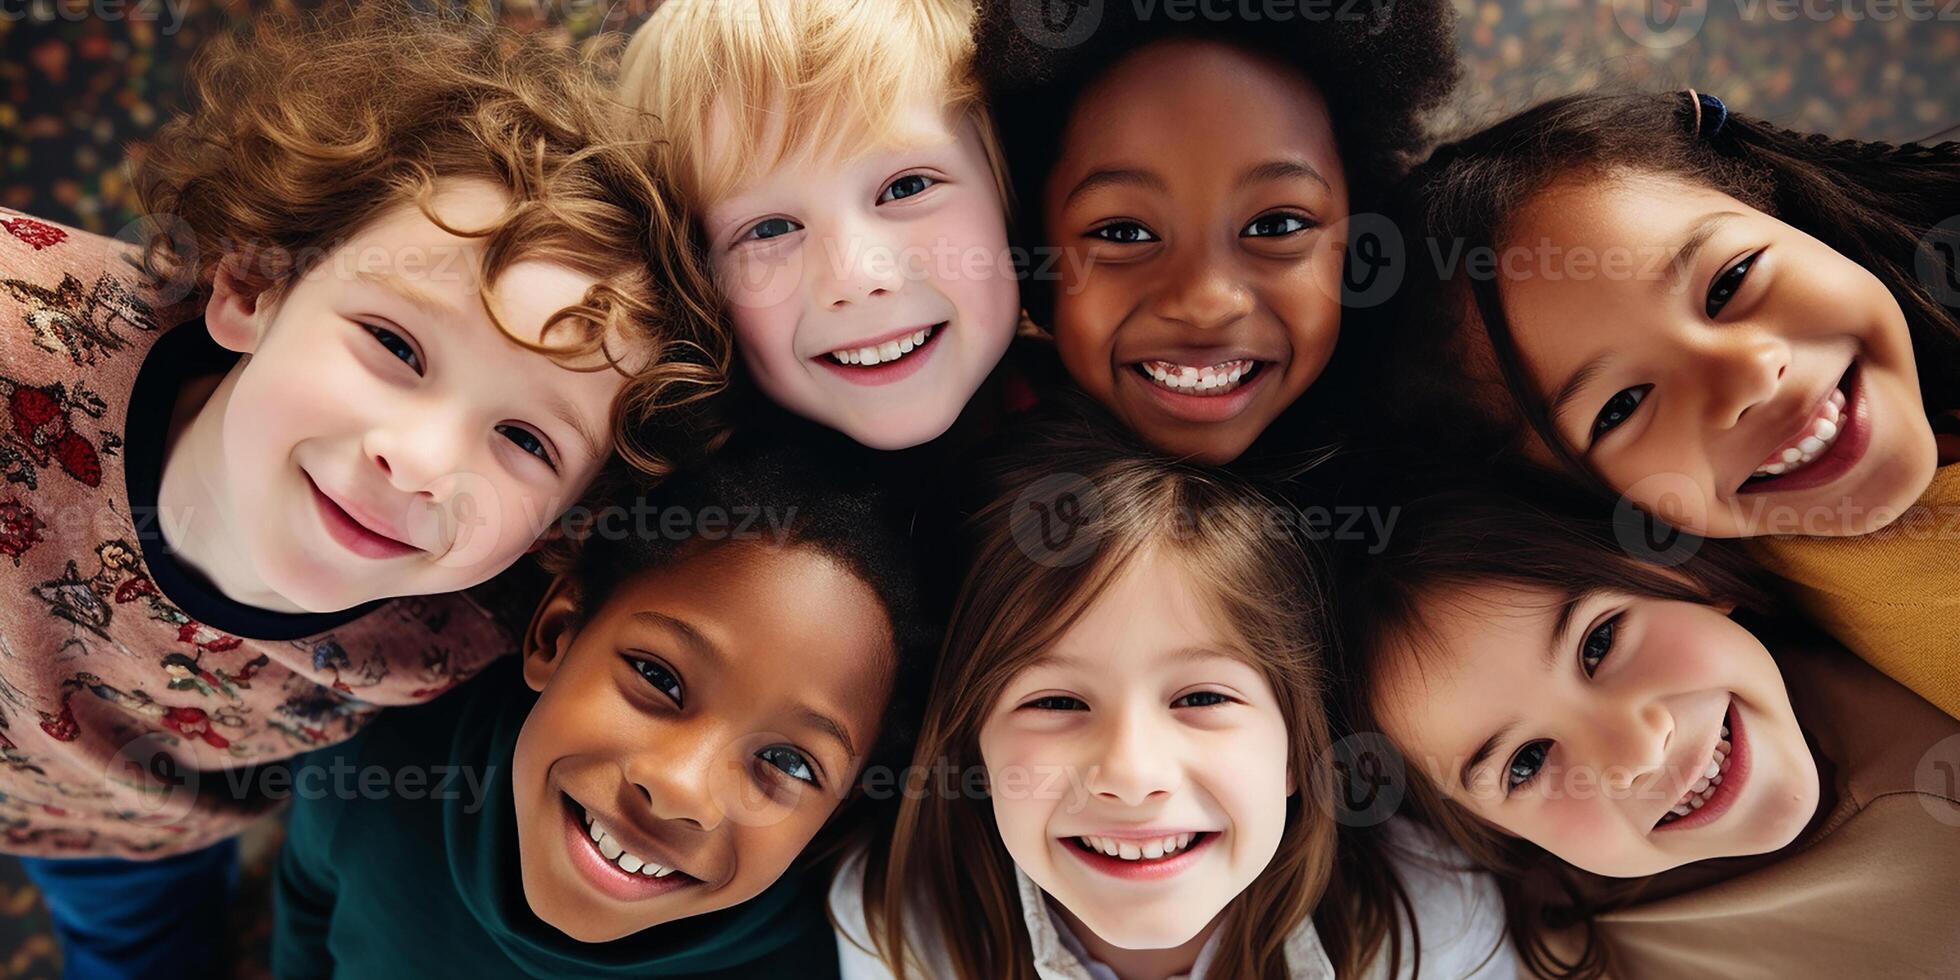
(946, 871)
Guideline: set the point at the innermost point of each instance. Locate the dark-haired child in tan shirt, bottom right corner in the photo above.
(1659, 791)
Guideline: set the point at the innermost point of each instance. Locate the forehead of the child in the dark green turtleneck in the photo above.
(791, 624)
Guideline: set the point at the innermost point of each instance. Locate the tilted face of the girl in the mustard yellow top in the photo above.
(1736, 377)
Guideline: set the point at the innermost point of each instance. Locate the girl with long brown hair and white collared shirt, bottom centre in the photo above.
(1122, 769)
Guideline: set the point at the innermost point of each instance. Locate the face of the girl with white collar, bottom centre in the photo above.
(1150, 734)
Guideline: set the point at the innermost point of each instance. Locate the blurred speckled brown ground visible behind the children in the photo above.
(83, 79)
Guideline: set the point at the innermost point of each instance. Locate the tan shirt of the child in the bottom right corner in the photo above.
(1871, 889)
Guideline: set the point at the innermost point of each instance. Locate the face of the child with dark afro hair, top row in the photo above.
(1202, 209)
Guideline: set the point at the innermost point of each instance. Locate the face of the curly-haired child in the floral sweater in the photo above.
(383, 438)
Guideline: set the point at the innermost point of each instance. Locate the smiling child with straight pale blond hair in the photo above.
(850, 199)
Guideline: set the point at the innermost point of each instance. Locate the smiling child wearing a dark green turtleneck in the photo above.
(707, 695)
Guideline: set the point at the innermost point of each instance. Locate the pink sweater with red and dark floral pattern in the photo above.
(126, 726)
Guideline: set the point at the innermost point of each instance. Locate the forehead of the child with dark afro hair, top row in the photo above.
(1161, 105)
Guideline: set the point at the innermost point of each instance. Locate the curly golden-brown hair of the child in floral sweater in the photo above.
(303, 130)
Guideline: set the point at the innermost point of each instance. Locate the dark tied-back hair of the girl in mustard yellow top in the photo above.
(1879, 205)
